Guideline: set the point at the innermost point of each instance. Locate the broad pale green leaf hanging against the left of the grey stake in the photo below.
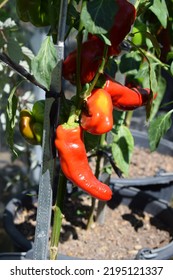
(44, 63)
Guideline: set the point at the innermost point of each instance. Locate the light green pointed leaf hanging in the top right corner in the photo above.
(159, 8)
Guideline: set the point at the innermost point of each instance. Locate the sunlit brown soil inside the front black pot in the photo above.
(123, 233)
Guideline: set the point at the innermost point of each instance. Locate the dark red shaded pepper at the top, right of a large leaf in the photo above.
(124, 19)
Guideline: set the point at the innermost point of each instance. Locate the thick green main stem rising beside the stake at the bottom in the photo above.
(58, 216)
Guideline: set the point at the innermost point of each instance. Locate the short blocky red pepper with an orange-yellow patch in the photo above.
(97, 117)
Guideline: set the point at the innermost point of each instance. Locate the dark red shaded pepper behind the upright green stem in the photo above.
(91, 56)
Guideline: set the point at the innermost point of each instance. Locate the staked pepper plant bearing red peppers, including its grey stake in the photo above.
(111, 37)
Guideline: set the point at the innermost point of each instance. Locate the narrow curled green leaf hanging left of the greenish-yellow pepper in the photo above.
(10, 120)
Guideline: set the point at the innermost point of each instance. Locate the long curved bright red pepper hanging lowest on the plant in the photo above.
(74, 162)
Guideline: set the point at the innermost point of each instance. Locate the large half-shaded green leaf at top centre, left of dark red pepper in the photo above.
(98, 16)
